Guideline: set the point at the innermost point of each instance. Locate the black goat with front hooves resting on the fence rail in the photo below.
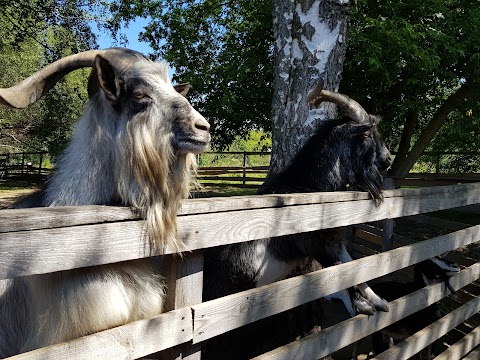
(345, 152)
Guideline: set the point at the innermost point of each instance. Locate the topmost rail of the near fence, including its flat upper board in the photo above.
(211, 223)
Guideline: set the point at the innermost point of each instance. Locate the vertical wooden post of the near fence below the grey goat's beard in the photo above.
(184, 285)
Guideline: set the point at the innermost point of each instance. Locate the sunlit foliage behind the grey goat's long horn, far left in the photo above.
(32, 34)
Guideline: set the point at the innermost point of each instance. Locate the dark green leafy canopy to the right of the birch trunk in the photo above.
(408, 57)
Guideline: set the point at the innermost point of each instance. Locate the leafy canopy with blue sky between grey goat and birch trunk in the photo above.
(223, 48)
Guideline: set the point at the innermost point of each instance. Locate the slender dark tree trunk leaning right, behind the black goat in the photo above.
(404, 164)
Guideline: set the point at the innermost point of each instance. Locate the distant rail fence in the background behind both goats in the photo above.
(249, 169)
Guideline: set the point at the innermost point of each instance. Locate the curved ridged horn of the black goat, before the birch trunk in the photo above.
(352, 108)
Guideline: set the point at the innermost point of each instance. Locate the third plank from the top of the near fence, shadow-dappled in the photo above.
(347, 332)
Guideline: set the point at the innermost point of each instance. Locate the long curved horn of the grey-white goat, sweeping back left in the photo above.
(32, 88)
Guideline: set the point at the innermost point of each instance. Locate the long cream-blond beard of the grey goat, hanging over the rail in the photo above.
(153, 180)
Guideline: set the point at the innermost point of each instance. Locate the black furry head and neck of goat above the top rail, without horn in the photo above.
(359, 150)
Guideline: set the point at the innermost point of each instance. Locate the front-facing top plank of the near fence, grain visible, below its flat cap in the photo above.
(47, 250)
